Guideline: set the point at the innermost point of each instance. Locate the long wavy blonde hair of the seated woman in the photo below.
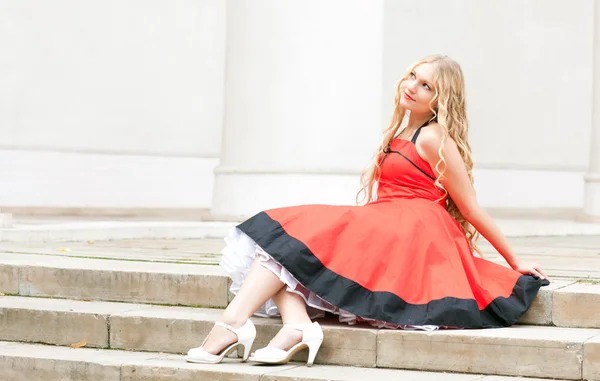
(448, 107)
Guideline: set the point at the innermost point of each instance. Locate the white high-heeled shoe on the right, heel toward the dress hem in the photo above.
(312, 338)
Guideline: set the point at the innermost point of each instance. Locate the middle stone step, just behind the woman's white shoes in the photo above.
(531, 351)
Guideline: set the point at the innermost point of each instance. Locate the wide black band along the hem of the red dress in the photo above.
(348, 295)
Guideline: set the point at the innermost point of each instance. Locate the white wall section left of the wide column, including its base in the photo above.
(128, 80)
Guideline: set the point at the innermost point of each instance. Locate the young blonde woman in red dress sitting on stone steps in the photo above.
(405, 259)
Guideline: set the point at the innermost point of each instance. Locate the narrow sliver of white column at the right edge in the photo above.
(592, 178)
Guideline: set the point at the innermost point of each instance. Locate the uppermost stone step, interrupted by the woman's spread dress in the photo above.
(563, 303)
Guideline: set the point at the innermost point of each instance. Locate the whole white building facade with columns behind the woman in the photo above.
(231, 107)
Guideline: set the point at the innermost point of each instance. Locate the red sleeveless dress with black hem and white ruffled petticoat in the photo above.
(399, 261)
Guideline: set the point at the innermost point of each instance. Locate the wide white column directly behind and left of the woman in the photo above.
(302, 103)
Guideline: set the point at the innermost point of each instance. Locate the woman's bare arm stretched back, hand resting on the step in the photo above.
(456, 181)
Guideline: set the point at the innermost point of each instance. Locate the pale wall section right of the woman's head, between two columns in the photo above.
(528, 69)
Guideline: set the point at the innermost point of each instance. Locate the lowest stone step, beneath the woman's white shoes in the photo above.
(41, 362)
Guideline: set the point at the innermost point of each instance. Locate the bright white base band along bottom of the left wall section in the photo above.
(53, 179)
